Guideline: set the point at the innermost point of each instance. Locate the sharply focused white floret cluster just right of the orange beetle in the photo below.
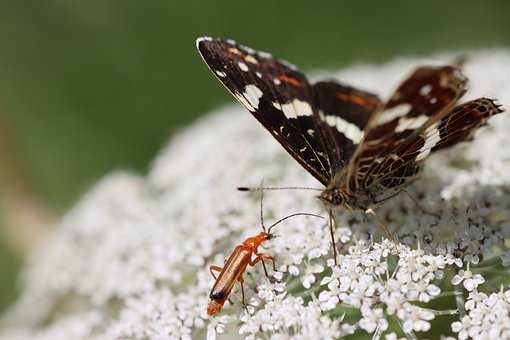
(365, 280)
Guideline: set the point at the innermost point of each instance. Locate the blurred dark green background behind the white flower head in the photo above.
(91, 86)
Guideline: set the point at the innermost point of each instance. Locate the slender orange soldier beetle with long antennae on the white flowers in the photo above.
(238, 261)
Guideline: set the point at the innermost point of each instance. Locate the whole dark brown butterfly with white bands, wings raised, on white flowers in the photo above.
(363, 150)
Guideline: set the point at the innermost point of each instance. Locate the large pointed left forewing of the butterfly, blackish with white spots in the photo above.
(276, 93)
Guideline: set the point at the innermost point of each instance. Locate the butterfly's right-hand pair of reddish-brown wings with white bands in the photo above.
(418, 120)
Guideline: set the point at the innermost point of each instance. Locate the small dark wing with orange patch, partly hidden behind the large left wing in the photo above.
(342, 113)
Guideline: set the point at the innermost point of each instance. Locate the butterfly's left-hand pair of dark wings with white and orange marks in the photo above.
(319, 125)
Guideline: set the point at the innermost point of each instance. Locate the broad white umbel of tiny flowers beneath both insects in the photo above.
(130, 260)
